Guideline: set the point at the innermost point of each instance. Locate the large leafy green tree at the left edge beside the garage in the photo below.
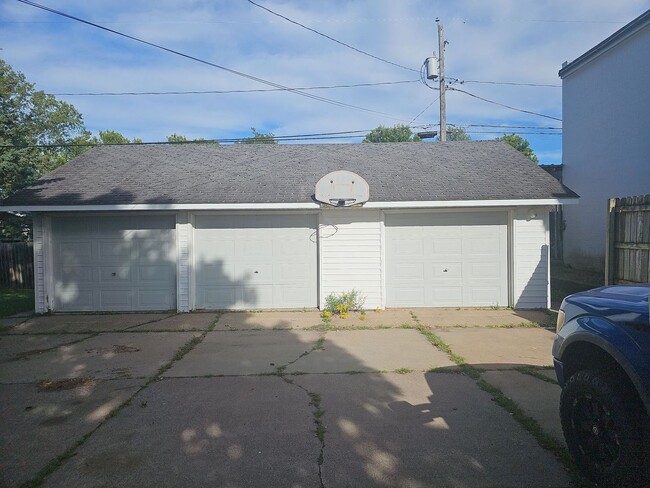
(39, 133)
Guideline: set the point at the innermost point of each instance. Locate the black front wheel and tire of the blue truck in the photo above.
(604, 427)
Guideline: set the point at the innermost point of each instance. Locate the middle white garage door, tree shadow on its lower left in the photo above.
(248, 262)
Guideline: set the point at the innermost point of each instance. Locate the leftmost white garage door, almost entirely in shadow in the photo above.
(114, 263)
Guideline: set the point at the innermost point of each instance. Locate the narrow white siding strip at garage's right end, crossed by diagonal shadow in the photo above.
(530, 241)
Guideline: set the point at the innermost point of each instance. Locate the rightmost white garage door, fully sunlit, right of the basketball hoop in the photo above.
(446, 259)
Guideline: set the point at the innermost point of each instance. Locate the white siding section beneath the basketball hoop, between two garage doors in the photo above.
(351, 254)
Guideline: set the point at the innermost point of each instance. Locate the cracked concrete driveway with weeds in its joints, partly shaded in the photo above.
(280, 399)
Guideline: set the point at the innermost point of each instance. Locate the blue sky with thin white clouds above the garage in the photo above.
(522, 41)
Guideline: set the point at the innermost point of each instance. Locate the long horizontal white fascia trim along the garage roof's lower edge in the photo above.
(288, 206)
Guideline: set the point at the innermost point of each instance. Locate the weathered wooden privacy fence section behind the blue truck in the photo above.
(628, 240)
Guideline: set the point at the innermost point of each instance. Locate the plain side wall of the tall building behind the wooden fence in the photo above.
(606, 147)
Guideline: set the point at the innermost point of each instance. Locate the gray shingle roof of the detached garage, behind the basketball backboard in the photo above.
(263, 173)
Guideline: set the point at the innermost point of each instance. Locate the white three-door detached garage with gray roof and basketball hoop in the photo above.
(203, 226)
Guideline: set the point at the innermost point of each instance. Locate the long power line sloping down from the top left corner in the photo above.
(208, 63)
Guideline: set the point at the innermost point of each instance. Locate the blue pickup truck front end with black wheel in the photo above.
(602, 362)
